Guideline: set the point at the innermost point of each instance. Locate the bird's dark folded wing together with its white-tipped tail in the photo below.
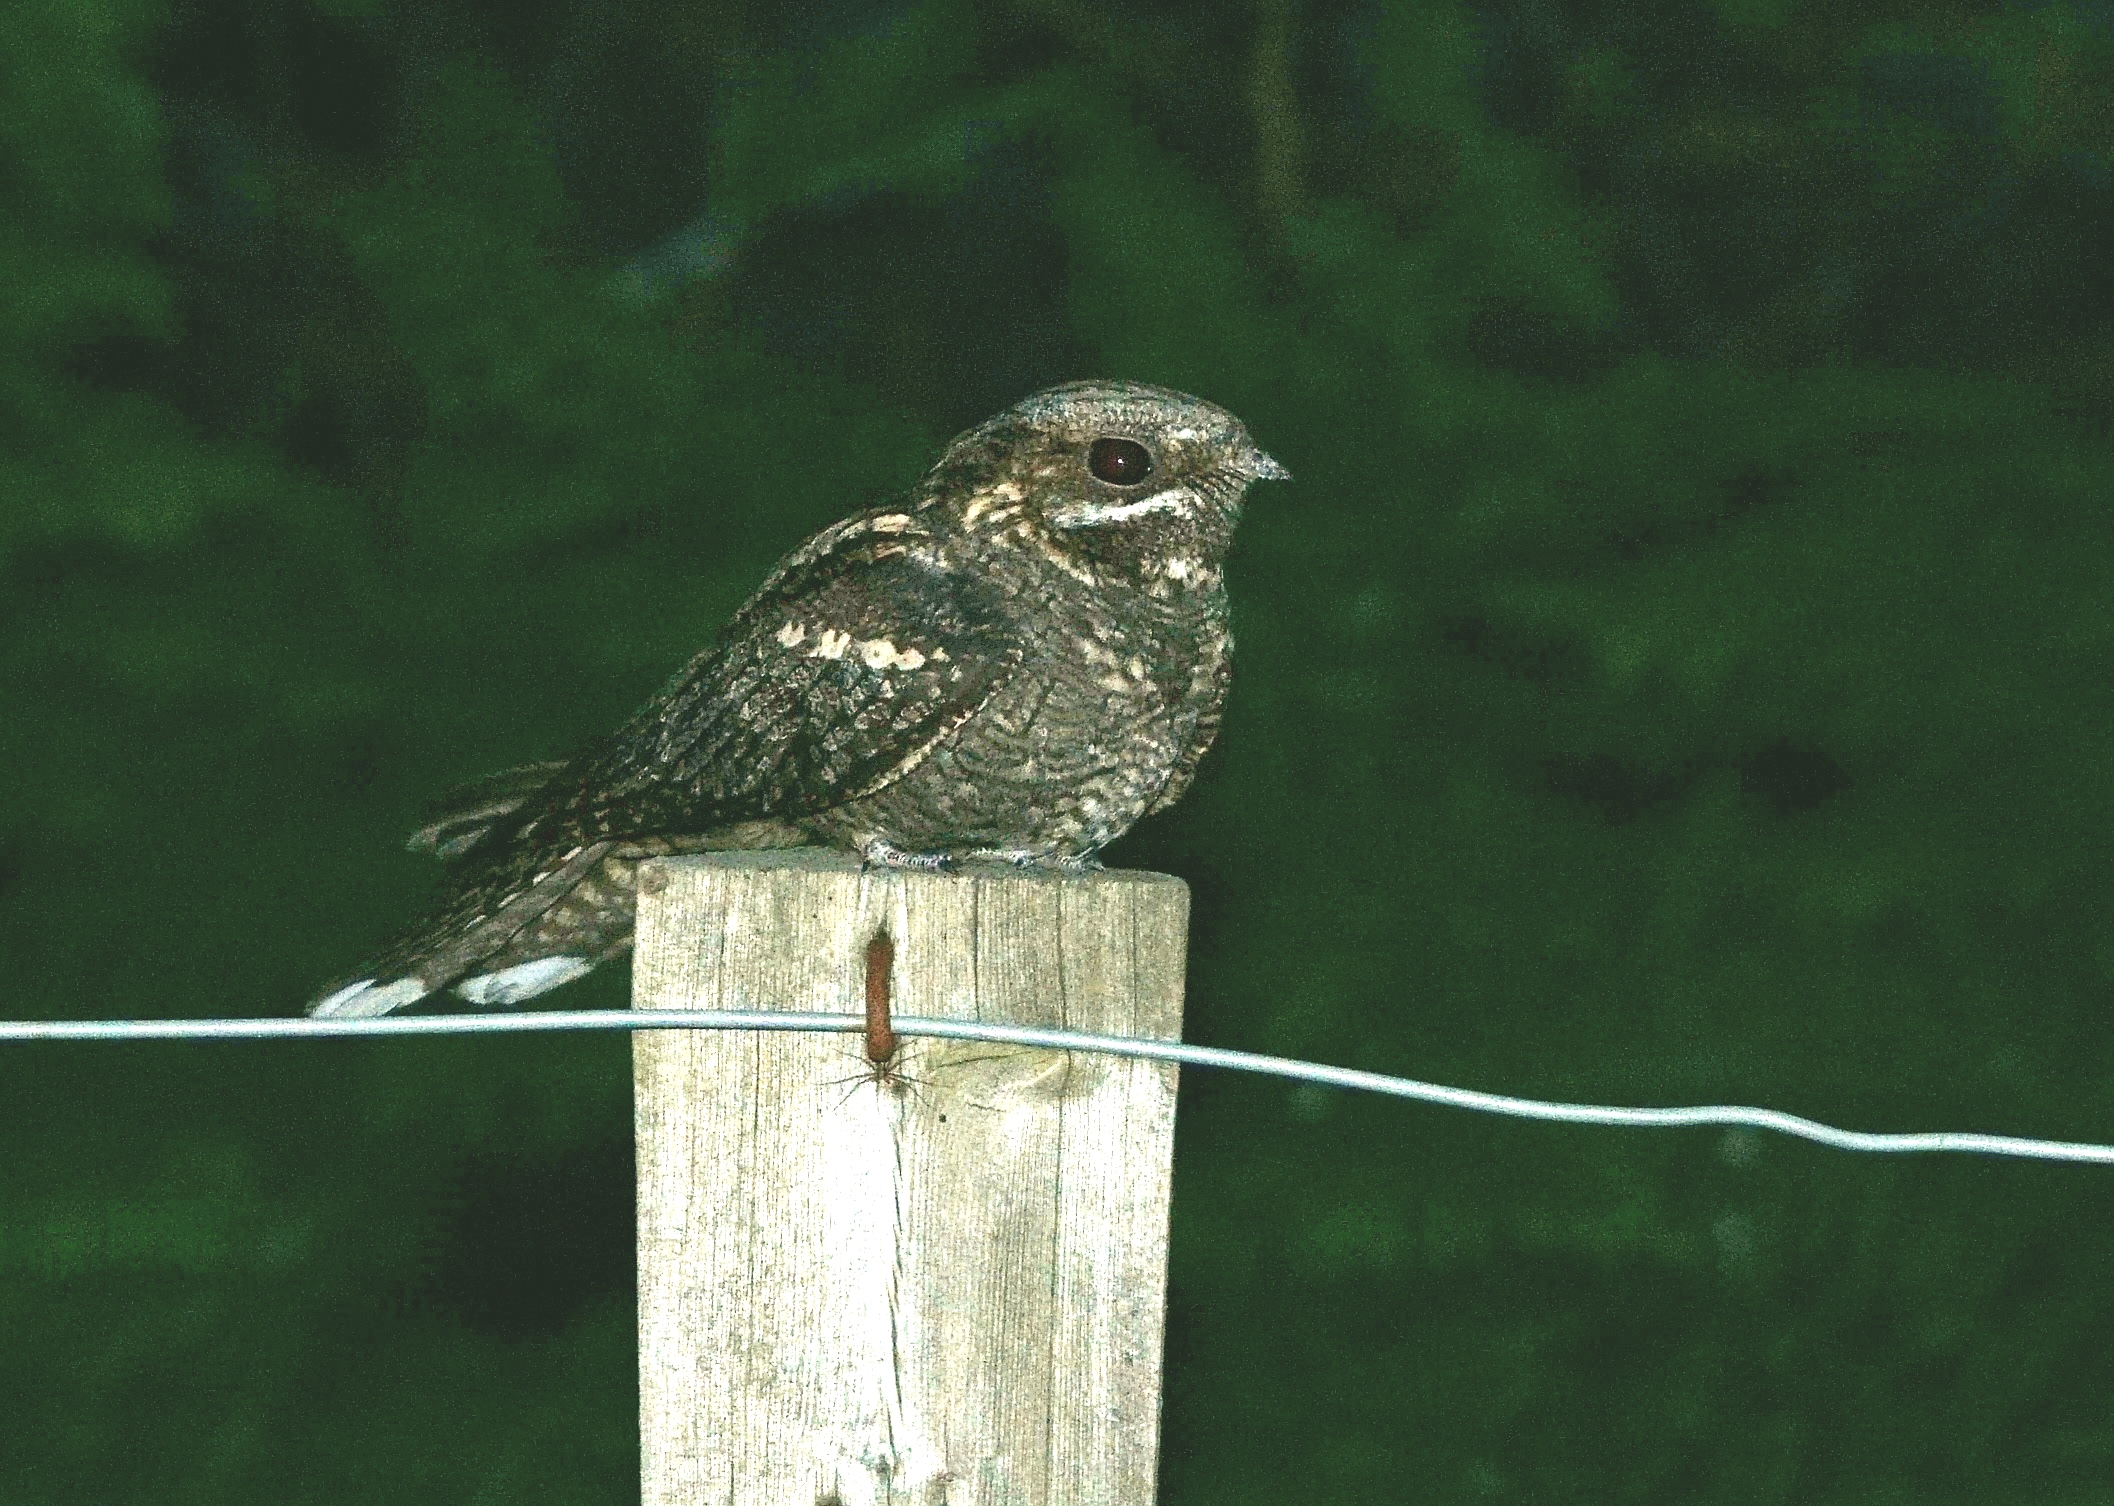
(855, 661)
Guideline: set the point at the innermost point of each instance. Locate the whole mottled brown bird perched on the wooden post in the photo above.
(1016, 663)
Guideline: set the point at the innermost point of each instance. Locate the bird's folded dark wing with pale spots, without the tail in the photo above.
(842, 674)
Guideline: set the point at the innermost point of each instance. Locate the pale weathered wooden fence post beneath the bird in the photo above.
(942, 1285)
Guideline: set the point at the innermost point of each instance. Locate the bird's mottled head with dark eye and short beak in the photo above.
(1105, 477)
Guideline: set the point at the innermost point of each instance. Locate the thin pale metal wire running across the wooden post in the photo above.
(278, 1029)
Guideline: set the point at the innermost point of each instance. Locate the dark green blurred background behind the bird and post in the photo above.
(1680, 672)
